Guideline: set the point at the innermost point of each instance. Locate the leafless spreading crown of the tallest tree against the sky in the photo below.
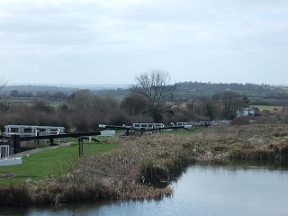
(154, 86)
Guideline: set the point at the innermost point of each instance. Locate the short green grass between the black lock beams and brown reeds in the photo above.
(51, 162)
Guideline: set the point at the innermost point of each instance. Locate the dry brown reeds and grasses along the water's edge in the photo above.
(141, 168)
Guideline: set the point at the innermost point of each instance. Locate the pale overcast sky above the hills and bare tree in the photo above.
(112, 41)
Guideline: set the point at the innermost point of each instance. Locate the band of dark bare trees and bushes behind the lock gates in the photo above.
(151, 99)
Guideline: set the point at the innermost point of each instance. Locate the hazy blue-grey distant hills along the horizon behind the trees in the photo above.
(258, 94)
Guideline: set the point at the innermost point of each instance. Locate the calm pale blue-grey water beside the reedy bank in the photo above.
(201, 190)
